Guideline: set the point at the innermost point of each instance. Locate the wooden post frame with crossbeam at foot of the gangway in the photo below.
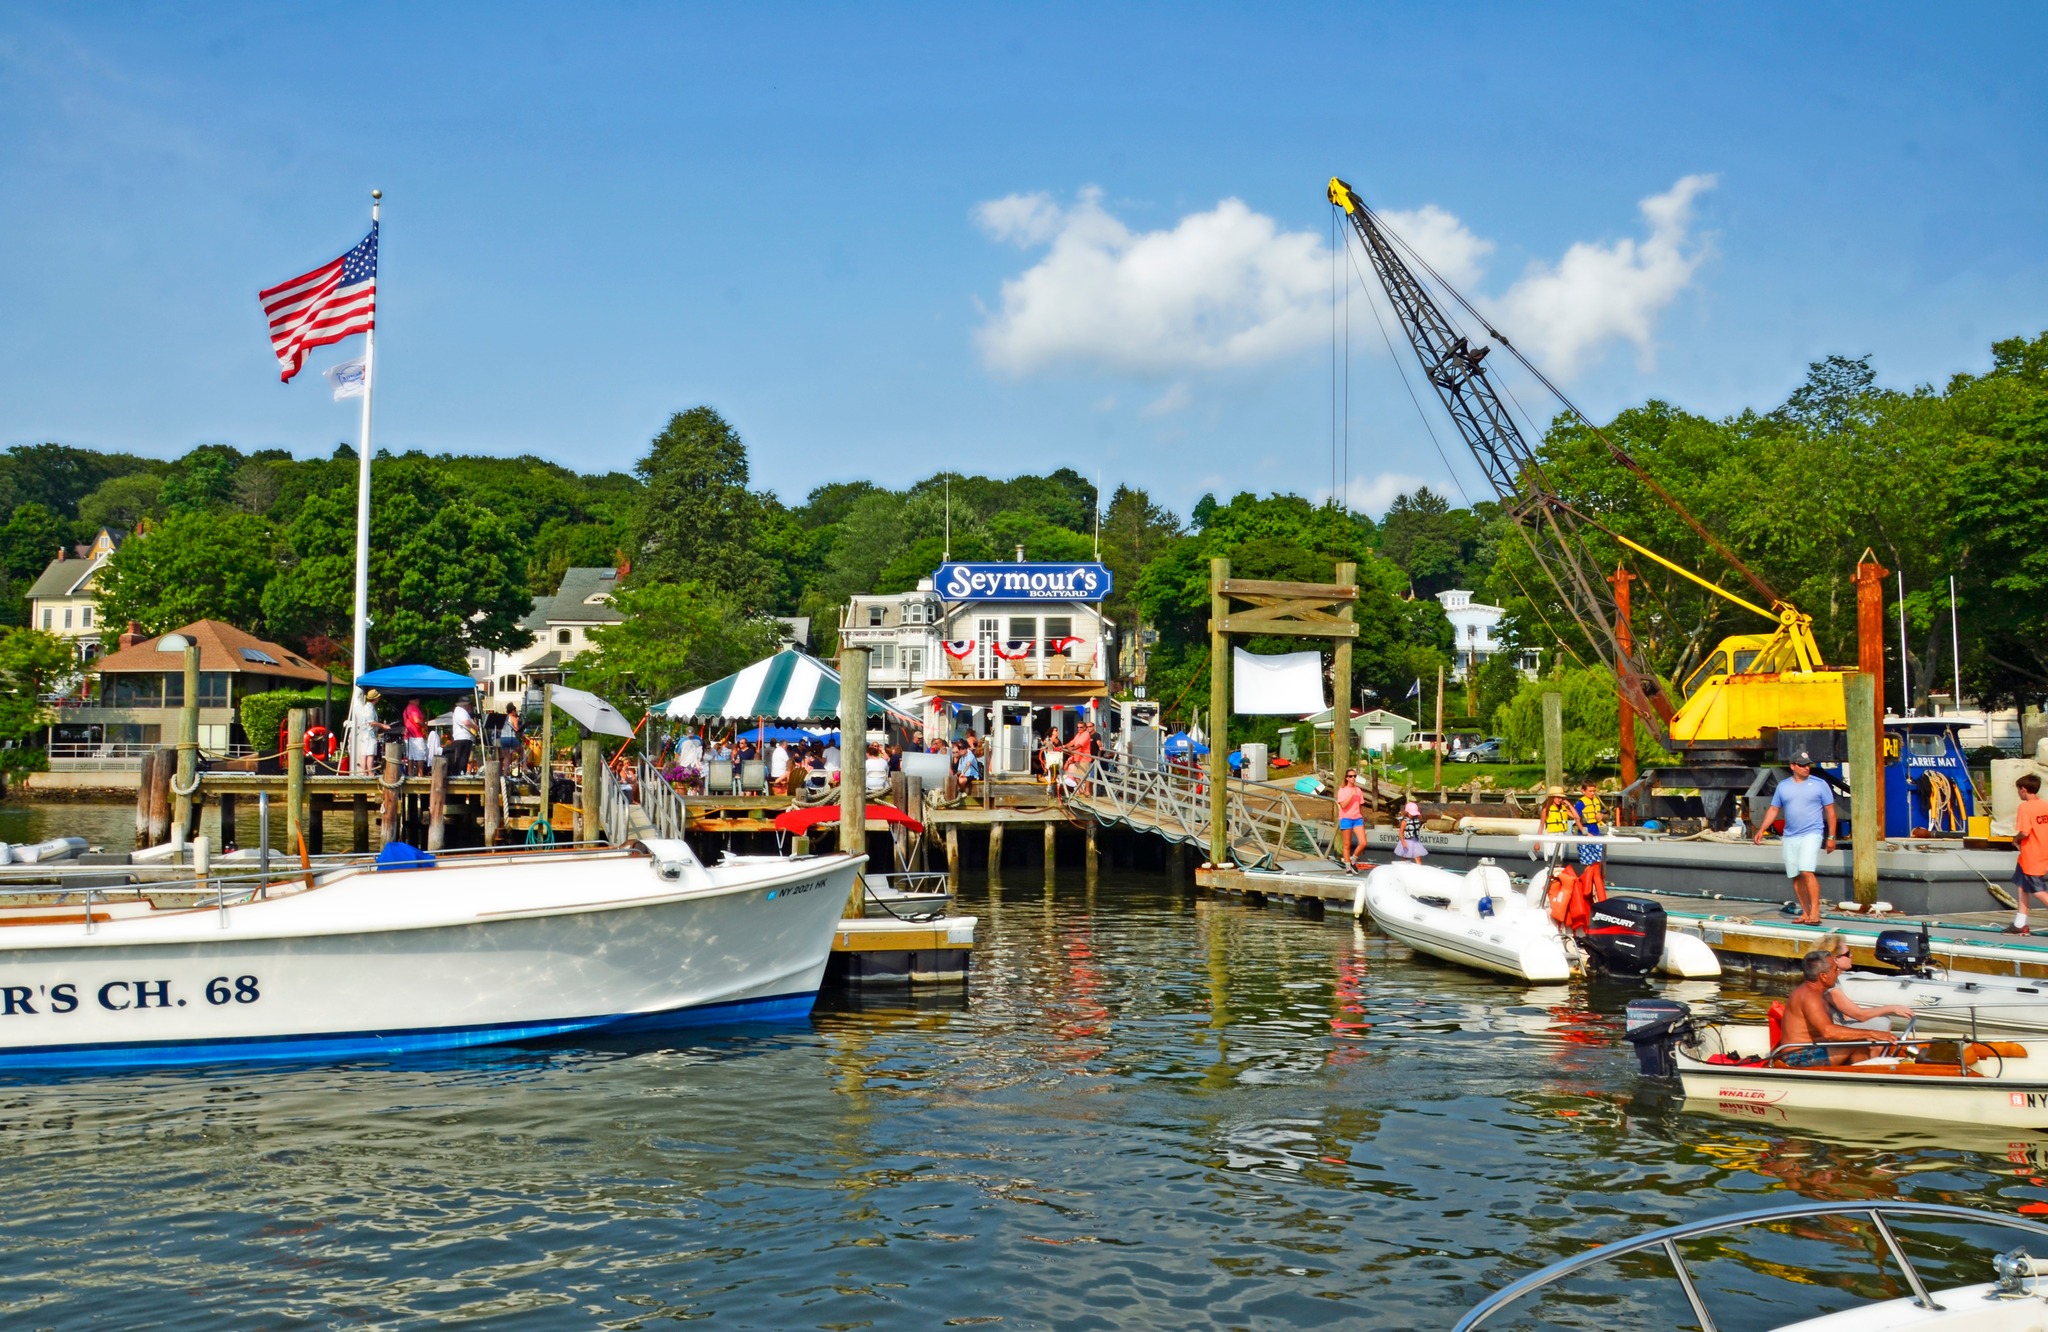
(1283, 610)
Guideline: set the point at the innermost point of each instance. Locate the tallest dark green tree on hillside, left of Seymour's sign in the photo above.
(697, 519)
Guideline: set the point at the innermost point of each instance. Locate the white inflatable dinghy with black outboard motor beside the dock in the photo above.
(1482, 919)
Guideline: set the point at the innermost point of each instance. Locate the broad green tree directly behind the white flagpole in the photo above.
(447, 575)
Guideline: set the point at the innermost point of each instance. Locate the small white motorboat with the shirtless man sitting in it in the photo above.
(1906, 1077)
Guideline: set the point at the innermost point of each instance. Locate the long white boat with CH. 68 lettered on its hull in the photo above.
(470, 952)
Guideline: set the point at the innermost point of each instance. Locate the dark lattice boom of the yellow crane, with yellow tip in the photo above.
(1455, 368)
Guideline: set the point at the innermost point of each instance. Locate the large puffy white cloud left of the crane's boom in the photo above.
(1220, 290)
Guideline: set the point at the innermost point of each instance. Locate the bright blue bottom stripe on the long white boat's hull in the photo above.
(361, 1044)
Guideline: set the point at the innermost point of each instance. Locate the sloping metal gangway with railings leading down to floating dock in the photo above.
(1267, 823)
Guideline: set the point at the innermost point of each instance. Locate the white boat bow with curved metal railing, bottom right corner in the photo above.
(1779, 1269)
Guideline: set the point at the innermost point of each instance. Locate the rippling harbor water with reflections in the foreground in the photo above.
(1148, 1110)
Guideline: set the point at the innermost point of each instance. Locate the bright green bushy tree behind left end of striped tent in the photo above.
(673, 638)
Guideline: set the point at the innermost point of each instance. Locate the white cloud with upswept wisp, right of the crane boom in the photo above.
(1598, 294)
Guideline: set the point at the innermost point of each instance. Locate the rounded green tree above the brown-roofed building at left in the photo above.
(191, 567)
